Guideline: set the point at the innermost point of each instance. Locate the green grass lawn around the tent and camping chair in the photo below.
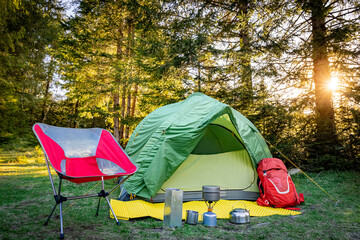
(26, 200)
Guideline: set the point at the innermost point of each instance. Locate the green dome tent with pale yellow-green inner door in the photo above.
(199, 141)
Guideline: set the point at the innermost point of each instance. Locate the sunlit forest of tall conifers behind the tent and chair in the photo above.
(291, 66)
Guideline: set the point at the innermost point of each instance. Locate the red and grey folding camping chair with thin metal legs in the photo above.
(82, 155)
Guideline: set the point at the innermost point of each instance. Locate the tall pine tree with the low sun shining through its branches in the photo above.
(321, 36)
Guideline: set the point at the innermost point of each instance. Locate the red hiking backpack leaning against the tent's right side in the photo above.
(275, 185)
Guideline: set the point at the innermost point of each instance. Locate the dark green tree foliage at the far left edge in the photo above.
(28, 30)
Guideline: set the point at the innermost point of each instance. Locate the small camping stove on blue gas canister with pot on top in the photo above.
(210, 194)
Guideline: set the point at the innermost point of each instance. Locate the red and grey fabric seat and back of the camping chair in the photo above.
(80, 153)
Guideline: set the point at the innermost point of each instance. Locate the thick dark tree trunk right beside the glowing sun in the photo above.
(325, 118)
